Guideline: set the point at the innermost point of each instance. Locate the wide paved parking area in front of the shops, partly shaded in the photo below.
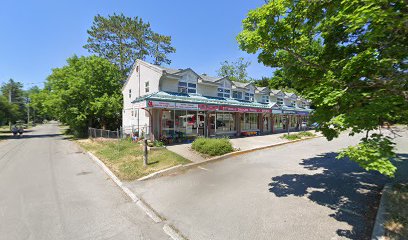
(296, 191)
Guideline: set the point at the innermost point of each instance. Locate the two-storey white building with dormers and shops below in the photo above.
(176, 105)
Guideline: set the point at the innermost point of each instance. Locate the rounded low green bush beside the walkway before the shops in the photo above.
(212, 146)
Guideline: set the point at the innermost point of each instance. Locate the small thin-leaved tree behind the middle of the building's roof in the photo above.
(236, 71)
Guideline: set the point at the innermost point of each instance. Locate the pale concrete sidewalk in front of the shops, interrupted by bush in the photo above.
(242, 144)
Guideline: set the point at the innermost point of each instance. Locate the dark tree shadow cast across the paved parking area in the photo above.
(340, 185)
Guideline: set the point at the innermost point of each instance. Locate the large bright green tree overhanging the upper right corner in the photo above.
(348, 57)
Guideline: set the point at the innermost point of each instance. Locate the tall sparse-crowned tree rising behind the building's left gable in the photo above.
(122, 40)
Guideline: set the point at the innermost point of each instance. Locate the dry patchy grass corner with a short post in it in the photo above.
(125, 159)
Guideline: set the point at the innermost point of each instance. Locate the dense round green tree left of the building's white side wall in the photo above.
(84, 93)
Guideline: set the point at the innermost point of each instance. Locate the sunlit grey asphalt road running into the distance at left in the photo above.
(50, 190)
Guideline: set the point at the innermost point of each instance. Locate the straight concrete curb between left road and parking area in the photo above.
(149, 211)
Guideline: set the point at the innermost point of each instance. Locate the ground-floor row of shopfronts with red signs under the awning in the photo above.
(182, 122)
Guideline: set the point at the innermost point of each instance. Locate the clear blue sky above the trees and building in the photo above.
(37, 36)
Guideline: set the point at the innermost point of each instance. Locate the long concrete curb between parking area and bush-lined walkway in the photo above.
(178, 168)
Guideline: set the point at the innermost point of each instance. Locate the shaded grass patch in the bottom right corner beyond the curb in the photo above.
(396, 225)
